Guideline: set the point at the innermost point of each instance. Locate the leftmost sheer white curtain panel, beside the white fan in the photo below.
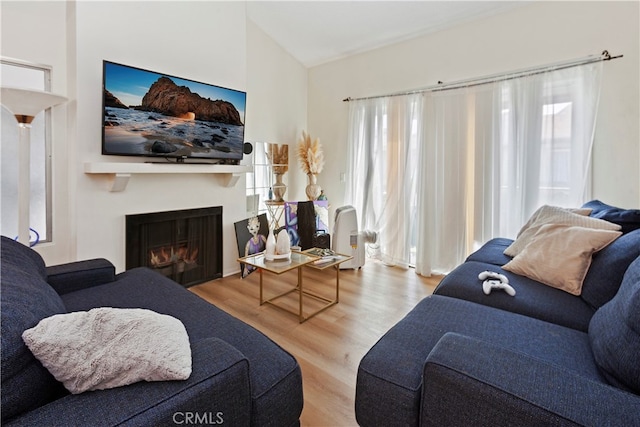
(382, 170)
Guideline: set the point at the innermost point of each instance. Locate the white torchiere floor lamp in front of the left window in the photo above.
(25, 104)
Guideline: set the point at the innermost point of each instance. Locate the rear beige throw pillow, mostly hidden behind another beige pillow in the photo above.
(555, 215)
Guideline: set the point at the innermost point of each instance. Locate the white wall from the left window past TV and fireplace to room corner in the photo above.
(203, 41)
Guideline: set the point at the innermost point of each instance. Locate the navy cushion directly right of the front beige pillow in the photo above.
(608, 267)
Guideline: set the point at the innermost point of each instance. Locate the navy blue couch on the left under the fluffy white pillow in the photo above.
(239, 376)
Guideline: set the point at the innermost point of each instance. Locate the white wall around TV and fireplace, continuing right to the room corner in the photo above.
(203, 41)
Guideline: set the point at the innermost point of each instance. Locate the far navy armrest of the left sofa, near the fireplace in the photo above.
(73, 276)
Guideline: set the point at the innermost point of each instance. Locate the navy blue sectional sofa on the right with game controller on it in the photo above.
(541, 357)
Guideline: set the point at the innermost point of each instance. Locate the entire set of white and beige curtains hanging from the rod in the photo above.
(470, 163)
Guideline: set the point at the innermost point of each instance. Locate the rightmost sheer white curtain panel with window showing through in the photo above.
(546, 138)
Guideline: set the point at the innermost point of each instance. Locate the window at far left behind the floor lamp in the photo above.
(29, 76)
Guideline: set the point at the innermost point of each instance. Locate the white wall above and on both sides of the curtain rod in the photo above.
(531, 35)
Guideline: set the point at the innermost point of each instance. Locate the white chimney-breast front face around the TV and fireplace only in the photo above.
(202, 41)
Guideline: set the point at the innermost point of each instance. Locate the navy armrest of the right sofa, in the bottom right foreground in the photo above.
(468, 381)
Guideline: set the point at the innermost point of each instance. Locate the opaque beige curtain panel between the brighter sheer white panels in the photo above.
(445, 180)
